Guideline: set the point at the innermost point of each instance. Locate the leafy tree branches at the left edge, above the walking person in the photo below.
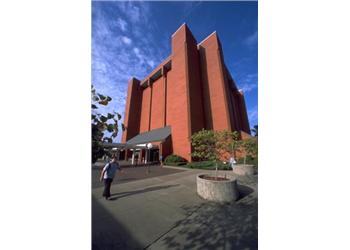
(101, 123)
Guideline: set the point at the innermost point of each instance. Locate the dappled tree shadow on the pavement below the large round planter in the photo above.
(216, 226)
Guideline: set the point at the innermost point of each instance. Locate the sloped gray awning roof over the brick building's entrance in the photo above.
(159, 134)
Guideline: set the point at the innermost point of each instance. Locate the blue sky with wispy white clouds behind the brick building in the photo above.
(132, 38)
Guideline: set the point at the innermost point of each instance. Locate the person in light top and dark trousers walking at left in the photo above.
(107, 175)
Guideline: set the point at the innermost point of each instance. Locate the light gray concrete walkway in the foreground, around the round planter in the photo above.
(165, 212)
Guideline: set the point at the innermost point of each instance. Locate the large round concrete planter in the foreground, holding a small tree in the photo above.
(220, 191)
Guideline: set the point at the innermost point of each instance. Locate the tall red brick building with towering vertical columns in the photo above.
(192, 89)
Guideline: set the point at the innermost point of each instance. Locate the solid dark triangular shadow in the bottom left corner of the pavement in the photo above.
(108, 233)
